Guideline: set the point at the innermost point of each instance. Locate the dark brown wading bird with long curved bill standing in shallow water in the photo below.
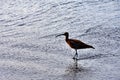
(75, 44)
